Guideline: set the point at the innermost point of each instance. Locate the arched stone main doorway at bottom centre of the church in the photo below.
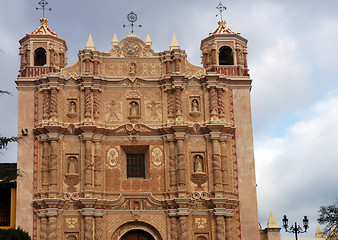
(128, 230)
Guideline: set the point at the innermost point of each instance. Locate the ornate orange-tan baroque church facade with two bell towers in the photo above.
(136, 144)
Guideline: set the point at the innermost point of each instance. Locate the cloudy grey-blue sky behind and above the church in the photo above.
(293, 61)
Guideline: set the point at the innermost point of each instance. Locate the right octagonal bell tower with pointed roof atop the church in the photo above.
(224, 52)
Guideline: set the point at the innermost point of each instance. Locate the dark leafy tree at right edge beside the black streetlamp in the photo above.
(328, 215)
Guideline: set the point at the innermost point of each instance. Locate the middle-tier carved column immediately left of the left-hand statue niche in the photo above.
(53, 163)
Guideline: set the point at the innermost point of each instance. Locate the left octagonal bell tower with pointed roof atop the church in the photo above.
(42, 52)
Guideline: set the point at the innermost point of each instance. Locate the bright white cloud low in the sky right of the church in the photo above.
(297, 173)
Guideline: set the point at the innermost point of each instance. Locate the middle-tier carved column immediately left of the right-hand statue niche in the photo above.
(180, 161)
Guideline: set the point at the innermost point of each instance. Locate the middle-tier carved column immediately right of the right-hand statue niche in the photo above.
(216, 161)
